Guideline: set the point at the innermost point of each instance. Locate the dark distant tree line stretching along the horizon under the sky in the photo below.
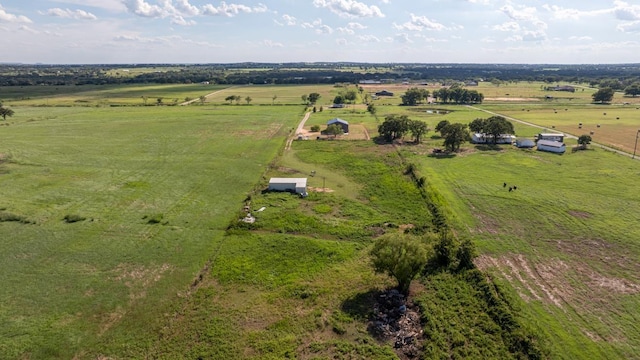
(618, 77)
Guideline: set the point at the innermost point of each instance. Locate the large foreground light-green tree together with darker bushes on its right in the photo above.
(405, 256)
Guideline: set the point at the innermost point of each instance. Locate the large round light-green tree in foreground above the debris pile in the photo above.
(400, 256)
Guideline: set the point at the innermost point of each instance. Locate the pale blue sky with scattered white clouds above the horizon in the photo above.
(373, 31)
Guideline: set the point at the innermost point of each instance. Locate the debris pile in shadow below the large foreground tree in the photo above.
(398, 320)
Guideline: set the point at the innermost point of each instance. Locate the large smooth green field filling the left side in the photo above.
(108, 214)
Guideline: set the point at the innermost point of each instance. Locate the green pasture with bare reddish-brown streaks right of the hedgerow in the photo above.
(565, 240)
